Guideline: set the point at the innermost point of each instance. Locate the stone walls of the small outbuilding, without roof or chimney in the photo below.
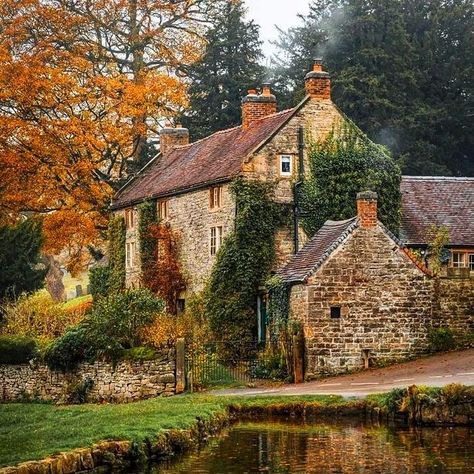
(385, 304)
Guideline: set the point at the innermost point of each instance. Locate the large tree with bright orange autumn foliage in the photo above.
(83, 85)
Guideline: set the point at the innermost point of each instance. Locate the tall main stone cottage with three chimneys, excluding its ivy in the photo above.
(190, 181)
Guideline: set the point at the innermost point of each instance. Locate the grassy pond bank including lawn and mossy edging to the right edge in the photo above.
(30, 431)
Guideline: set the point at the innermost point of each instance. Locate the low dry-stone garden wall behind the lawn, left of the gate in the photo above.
(126, 382)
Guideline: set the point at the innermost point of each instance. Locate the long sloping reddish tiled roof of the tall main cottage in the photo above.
(212, 159)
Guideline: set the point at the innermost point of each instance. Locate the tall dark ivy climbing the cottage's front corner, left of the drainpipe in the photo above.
(242, 265)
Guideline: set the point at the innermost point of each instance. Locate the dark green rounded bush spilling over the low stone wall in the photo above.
(66, 352)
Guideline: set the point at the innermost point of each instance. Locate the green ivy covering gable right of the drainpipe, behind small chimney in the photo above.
(341, 165)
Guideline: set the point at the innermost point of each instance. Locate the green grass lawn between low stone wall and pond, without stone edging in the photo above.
(31, 431)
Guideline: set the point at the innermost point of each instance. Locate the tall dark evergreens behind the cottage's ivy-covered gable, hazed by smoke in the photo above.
(402, 70)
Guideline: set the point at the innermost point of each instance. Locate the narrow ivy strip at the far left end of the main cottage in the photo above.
(116, 238)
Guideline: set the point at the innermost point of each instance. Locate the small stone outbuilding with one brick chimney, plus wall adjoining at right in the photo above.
(361, 295)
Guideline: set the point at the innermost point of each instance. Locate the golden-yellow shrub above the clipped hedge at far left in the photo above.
(38, 316)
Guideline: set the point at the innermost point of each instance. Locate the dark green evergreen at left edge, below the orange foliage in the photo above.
(21, 267)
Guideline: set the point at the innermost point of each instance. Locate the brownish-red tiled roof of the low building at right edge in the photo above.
(437, 201)
